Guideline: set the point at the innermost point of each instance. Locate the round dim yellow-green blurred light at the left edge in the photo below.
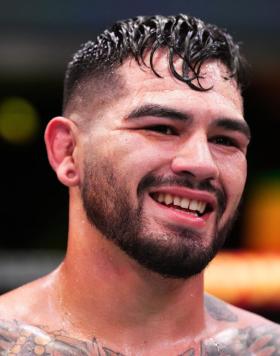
(19, 122)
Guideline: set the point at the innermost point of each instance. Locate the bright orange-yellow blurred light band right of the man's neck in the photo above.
(254, 279)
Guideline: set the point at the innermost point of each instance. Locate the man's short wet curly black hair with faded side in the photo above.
(185, 36)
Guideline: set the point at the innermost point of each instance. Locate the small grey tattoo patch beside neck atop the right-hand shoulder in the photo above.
(219, 310)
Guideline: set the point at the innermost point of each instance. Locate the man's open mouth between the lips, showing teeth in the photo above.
(195, 207)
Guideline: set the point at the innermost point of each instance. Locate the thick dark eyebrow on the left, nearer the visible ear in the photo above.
(158, 111)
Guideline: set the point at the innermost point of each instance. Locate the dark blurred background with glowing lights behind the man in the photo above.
(37, 39)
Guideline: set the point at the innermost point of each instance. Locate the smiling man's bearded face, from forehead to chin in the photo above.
(165, 167)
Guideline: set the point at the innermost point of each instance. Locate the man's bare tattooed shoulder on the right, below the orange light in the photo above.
(240, 332)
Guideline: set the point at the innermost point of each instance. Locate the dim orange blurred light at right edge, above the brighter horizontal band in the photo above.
(262, 229)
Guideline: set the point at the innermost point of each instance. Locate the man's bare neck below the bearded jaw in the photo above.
(113, 298)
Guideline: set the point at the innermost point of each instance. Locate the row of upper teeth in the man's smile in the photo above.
(181, 202)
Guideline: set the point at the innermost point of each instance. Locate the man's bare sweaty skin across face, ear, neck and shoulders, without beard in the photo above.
(100, 300)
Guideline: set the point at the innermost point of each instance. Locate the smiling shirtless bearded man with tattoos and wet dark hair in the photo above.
(152, 146)
